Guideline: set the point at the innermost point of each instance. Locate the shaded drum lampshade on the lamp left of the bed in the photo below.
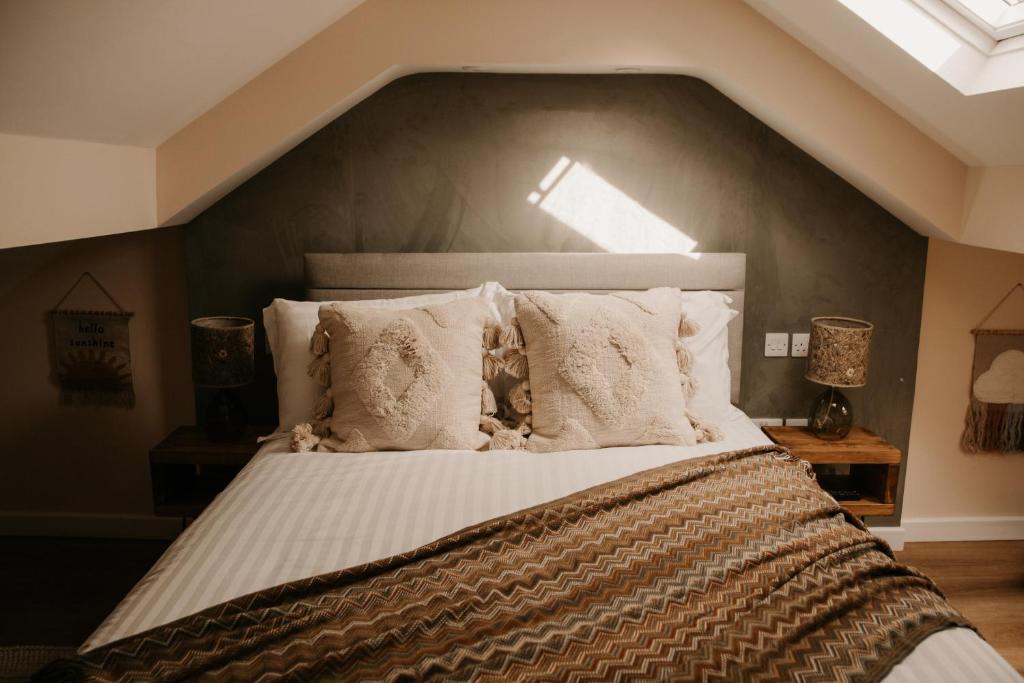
(223, 352)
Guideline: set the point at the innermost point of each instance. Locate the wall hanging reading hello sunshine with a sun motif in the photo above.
(92, 353)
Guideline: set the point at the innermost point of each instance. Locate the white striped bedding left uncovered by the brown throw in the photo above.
(289, 517)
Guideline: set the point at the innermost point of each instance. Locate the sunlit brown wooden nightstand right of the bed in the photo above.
(874, 464)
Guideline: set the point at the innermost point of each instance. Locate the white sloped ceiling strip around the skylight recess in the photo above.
(984, 130)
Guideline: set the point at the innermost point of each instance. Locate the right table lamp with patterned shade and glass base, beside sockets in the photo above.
(837, 358)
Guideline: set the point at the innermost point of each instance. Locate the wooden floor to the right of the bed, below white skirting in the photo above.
(986, 582)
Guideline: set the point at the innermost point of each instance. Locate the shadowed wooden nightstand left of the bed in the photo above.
(189, 471)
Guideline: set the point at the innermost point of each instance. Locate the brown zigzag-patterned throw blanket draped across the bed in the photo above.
(732, 568)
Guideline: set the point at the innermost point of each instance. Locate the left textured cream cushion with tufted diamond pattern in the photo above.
(406, 380)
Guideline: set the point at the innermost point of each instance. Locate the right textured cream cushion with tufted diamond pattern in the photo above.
(604, 369)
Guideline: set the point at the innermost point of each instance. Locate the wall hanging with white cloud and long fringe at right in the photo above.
(996, 417)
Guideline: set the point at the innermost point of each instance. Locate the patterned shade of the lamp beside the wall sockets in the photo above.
(839, 352)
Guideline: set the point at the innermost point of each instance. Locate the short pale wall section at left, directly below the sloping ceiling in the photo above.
(55, 190)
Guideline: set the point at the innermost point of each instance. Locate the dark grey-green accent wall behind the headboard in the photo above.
(445, 162)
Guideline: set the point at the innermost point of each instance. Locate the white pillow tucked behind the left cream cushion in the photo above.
(290, 325)
